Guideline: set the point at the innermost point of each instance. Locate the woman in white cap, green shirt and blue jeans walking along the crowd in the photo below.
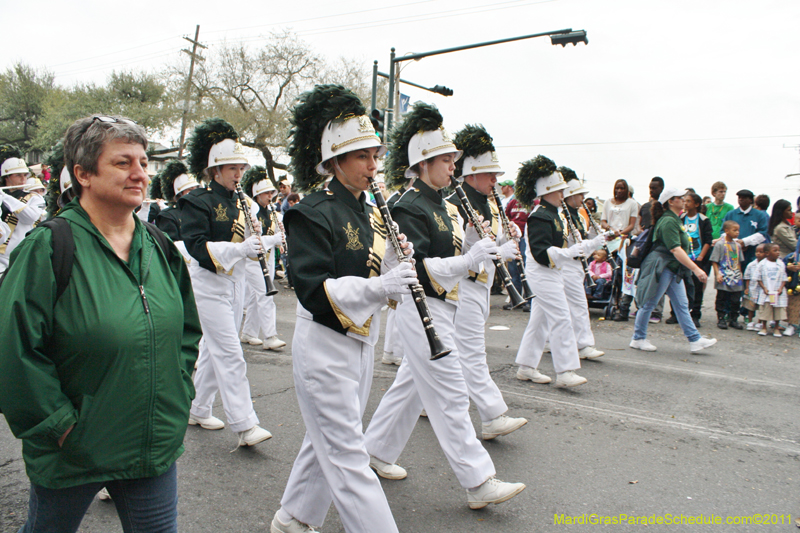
(664, 270)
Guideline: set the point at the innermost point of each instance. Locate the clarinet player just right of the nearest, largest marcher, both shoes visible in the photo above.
(422, 148)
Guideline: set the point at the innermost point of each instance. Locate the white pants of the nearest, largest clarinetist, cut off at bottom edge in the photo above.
(333, 375)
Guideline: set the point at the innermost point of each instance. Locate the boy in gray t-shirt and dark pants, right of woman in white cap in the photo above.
(728, 274)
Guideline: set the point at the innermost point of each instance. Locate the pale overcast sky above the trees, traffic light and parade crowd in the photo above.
(693, 91)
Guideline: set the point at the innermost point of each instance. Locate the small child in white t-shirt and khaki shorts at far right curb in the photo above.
(771, 276)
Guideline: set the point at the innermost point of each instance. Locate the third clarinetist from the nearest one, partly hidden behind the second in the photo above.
(480, 168)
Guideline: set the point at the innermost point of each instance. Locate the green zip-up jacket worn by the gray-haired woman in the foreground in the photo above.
(113, 357)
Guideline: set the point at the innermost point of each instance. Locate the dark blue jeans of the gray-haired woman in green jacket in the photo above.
(146, 504)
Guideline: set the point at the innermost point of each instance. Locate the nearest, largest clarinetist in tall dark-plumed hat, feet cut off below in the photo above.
(342, 279)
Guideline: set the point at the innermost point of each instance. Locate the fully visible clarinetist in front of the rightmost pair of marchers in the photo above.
(549, 253)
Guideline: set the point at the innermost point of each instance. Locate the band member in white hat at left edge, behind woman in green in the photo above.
(21, 210)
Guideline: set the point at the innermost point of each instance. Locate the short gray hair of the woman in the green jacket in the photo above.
(86, 138)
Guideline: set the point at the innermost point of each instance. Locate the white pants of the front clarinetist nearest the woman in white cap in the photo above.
(550, 318)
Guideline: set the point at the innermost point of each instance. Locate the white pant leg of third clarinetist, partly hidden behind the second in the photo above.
(471, 317)
